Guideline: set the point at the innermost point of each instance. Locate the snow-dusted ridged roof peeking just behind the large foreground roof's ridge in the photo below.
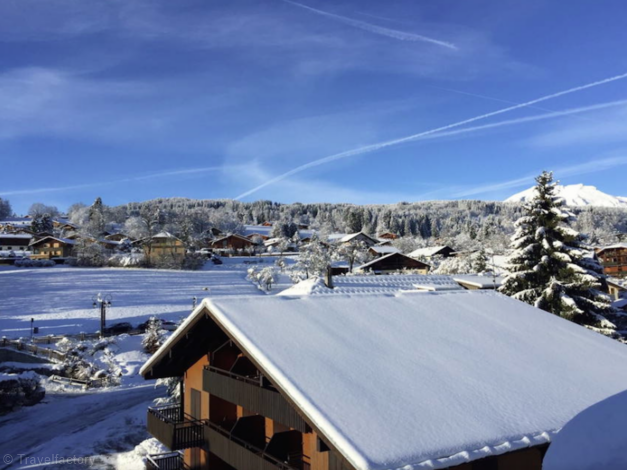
(368, 284)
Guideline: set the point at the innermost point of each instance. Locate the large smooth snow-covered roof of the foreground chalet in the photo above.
(424, 380)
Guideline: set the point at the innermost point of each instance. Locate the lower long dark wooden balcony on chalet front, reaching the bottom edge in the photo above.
(240, 454)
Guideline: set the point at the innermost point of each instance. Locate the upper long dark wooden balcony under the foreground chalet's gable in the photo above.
(254, 394)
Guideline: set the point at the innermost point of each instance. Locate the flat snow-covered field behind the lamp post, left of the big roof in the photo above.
(60, 298)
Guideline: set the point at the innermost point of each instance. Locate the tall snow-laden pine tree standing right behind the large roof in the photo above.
(549, 268)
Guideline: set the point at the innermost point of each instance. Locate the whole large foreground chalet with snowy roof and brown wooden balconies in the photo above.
(293, 382)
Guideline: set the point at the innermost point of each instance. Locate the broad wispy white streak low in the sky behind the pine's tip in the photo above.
(592, 166)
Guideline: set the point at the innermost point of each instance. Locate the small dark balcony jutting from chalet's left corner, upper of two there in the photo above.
(166, 425)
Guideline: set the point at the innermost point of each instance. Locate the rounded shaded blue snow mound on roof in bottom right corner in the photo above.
(594, 439)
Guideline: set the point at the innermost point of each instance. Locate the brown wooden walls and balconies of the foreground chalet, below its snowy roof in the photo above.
(234, 416)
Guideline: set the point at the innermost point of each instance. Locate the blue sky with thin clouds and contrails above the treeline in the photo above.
(134, 100)
